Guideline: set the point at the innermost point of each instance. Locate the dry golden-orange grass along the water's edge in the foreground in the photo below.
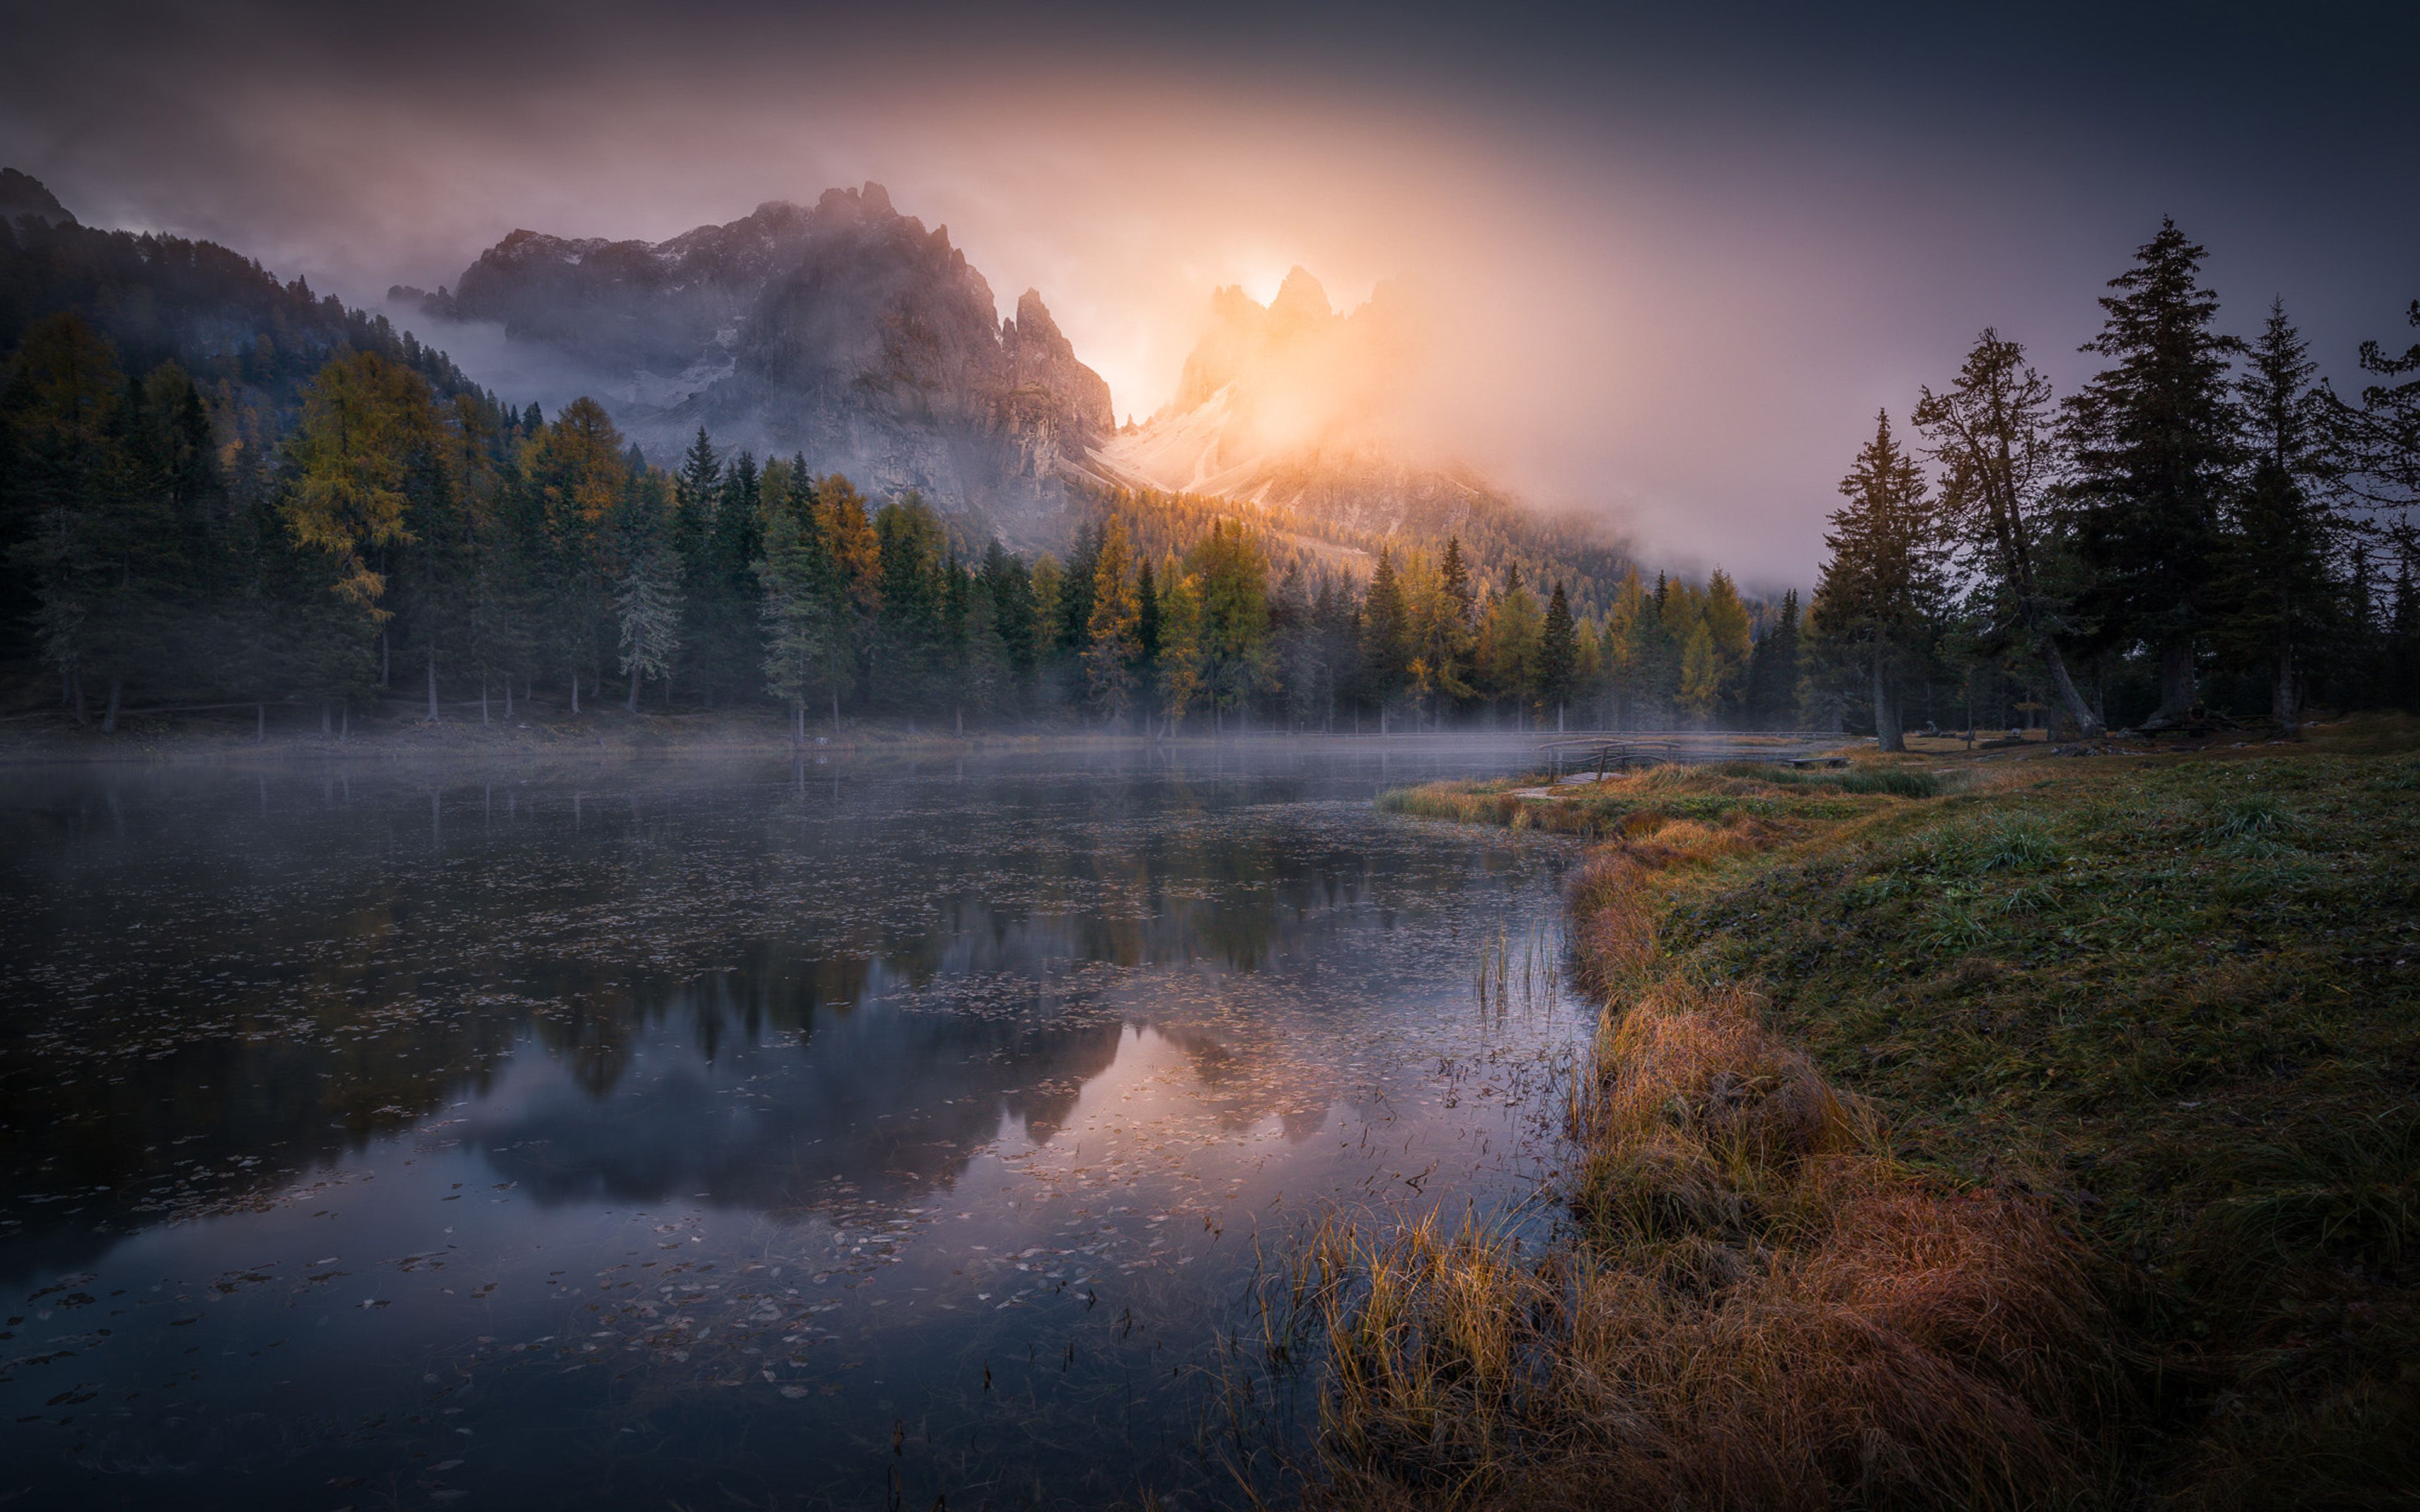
(1758, 1310)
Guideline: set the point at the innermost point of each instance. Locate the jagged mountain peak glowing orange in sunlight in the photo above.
(1318, 417)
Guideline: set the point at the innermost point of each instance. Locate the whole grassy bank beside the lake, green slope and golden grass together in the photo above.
(2024, 1136)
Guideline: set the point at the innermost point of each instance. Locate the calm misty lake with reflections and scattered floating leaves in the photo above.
(783, 1136)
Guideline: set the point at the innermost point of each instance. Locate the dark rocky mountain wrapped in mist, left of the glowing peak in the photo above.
(841, 330)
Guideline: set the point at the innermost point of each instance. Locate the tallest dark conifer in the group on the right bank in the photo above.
(2155, 446)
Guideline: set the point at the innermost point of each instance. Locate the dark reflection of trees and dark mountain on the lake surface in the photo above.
(391, 950)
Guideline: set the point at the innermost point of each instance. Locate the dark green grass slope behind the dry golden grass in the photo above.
(2182, 998)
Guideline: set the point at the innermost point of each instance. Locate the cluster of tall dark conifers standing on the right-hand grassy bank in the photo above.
(2206, 531)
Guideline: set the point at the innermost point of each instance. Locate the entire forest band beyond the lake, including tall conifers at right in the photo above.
(229, 492)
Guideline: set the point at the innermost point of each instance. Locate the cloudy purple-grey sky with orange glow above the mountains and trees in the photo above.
(1681, 255)
